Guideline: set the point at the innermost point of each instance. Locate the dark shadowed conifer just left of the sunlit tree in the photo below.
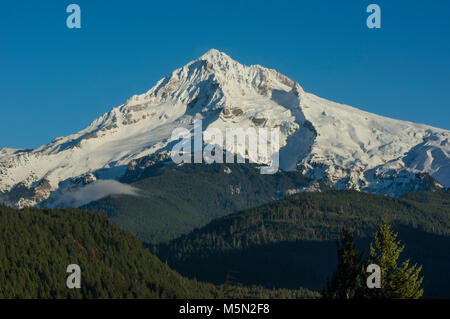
(346, 281)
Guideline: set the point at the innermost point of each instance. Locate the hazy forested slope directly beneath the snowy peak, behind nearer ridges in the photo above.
(173, 200)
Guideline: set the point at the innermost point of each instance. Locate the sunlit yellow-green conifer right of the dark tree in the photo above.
(397, 281)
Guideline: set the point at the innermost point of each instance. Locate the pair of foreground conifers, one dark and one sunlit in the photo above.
(380, 275)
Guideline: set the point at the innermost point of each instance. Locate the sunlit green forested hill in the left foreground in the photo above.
(37, 245)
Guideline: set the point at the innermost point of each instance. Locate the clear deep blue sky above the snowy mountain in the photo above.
(54, 81)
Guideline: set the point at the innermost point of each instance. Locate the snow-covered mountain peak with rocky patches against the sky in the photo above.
(335, 145)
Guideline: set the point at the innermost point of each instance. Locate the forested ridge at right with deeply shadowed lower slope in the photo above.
(291, 241)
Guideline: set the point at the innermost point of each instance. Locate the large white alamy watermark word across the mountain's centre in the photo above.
(260, 145)
